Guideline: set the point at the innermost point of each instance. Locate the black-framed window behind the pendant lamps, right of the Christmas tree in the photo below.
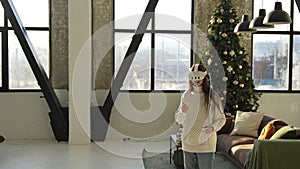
(276, 51)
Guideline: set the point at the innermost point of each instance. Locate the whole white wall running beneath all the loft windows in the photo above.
(25, 115)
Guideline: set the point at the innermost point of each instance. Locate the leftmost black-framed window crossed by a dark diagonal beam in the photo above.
(15, 72)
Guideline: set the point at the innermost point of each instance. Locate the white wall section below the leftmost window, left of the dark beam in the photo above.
(24, 116)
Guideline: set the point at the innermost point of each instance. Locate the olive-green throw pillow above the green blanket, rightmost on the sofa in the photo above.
(286, 132)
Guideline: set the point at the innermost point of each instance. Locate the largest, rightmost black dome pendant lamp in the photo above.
(277, 16)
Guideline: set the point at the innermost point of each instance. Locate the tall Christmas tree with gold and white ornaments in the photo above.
(239, 91)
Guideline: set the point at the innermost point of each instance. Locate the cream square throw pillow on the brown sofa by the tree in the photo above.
(247, 123)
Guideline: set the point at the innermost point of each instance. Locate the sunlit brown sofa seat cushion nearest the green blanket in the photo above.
(240, 152)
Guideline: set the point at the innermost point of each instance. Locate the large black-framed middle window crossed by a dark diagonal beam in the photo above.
(164, 55)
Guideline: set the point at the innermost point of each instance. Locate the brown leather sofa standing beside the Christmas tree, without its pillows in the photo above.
(237, 147)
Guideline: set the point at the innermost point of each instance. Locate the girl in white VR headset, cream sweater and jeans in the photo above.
(201, 114)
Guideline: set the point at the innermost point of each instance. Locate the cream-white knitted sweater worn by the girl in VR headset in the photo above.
(196, 118)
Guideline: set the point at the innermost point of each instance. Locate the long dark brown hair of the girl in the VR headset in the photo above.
(205, 83)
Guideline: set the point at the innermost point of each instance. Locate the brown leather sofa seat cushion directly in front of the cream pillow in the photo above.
(226, 141)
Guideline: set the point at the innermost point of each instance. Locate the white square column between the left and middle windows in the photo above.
(79, 71)
